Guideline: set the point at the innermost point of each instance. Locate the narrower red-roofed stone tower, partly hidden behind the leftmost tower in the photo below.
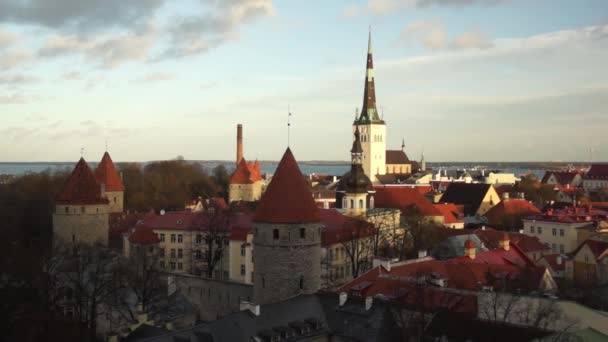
(111, 185)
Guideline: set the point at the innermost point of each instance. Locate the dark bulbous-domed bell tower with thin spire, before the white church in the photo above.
(355, 190)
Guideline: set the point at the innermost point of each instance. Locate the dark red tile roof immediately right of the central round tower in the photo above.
(341, 228)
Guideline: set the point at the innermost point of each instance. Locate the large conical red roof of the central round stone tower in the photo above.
(288, 198)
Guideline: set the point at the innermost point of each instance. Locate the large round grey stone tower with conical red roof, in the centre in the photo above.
(286, 237)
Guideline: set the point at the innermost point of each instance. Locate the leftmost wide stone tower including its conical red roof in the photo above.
(81, 212)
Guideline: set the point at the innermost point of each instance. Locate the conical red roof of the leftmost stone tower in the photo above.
(81, 187)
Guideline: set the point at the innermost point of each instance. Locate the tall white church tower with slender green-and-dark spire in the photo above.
(370, 125)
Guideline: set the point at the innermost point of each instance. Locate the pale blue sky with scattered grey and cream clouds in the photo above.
(460, 80)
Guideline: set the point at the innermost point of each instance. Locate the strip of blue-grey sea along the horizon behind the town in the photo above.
(307, 168)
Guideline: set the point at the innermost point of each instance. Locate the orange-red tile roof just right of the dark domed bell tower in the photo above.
(404, 198)
